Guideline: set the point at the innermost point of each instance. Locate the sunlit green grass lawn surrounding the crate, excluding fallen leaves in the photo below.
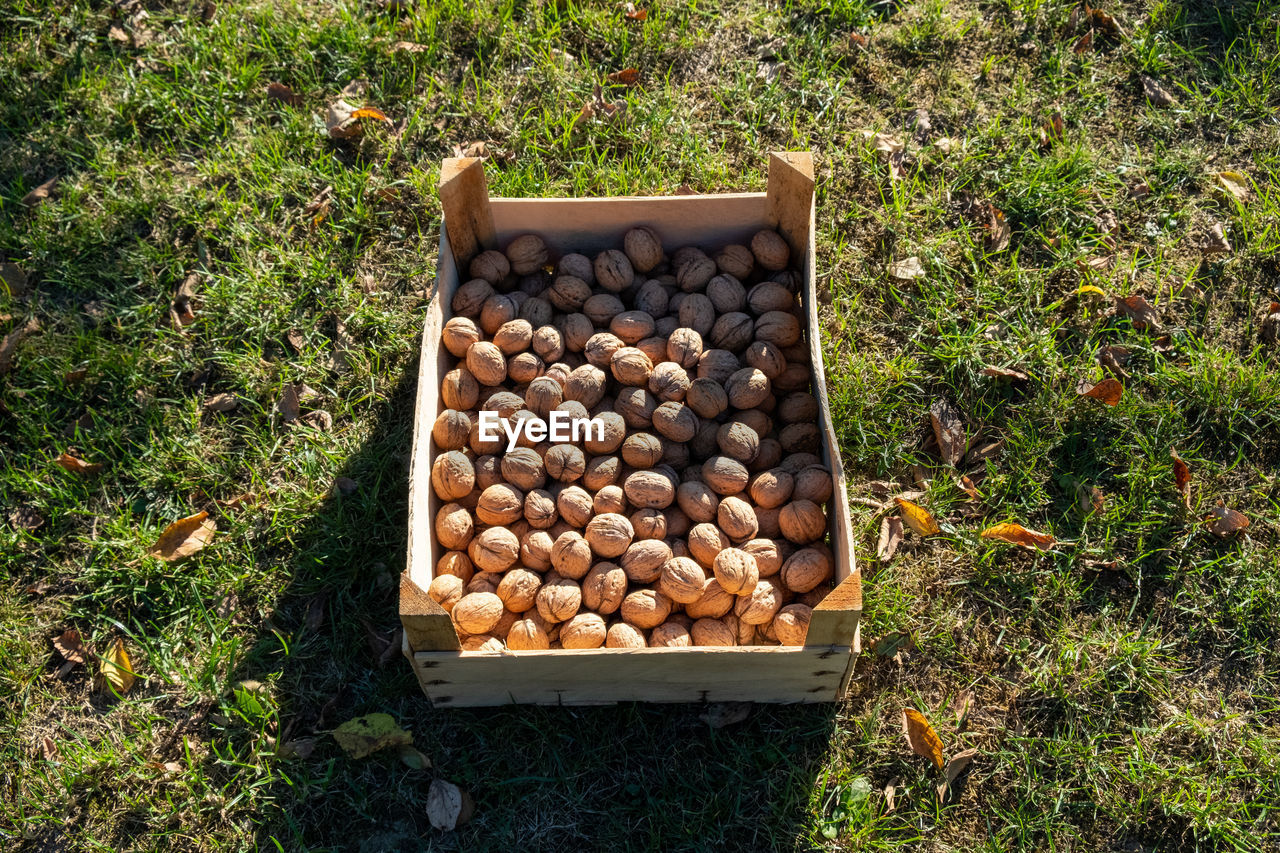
(1113, 710)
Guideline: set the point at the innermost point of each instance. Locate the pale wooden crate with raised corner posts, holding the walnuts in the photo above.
(819, 672)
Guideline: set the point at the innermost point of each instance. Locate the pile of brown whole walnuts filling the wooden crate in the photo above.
(698, 521)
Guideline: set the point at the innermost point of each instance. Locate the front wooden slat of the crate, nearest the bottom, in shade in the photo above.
(601, 677)
